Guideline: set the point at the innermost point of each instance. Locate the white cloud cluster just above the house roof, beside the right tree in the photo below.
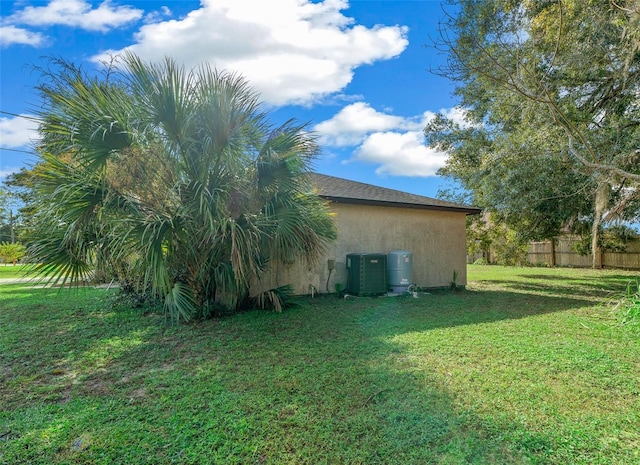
(395, 143)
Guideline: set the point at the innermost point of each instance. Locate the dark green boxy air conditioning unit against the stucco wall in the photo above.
(367, 273)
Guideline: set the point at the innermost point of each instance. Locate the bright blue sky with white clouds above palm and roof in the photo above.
(356, 70)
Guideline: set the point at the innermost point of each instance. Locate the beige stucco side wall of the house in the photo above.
(436, 240)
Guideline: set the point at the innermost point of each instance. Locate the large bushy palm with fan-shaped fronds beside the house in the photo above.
(173, 179)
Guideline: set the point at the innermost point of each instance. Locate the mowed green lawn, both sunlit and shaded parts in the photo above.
(526, 366)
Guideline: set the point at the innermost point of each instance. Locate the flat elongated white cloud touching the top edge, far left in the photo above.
(77, 13)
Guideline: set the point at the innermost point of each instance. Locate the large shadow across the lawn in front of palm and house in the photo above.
(318, 384)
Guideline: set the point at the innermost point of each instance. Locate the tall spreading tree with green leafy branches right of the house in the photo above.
(551, 141)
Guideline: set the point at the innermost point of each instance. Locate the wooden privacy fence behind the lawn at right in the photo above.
(561, 252)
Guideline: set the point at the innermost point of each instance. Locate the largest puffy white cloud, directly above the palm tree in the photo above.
(292, 51)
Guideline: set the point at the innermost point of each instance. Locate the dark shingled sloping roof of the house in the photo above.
(344, 191)
